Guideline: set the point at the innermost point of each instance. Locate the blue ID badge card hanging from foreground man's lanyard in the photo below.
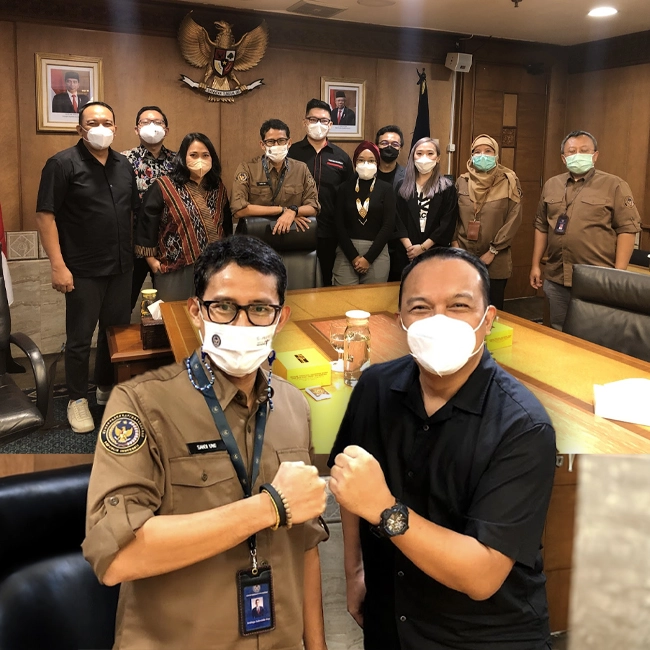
(256, 604)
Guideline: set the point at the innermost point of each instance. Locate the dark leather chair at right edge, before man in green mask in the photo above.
(611, 308)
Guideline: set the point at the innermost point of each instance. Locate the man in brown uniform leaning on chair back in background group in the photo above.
(273, 185)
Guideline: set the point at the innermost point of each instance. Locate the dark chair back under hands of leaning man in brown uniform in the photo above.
(297, 249)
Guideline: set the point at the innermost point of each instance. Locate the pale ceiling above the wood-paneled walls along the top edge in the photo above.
(561, 22)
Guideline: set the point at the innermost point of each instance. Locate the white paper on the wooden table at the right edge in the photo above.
(627, 400)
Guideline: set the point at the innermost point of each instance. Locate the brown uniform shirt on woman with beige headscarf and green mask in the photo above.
(500, 221)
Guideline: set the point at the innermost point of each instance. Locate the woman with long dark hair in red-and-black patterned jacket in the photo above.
(181, 214)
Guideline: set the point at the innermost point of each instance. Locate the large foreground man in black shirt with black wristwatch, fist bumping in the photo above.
(443, 467)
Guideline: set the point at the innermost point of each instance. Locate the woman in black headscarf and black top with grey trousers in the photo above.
(365, 219)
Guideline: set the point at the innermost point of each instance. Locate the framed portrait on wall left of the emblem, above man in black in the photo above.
(64, 85)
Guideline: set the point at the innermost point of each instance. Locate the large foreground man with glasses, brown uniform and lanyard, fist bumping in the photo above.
(167, 516)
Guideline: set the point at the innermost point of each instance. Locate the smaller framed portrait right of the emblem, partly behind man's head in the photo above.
(347, 100)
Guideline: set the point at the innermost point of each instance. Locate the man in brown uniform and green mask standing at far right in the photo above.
(584, 216)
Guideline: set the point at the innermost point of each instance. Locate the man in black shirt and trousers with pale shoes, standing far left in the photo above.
(84, 208)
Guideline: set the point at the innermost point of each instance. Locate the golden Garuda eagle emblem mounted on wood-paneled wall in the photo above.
(221, 58)
